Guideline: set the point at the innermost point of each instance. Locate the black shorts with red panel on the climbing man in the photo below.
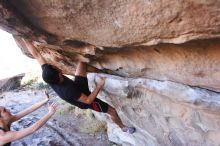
(97, 104)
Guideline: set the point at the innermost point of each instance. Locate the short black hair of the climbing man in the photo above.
(50, 74)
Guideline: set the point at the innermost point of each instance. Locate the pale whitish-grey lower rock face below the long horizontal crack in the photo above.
(164, 112)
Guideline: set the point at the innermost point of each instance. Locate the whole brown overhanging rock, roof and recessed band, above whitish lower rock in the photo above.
(112, 35)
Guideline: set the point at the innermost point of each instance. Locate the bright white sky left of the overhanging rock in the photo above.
(12, 60)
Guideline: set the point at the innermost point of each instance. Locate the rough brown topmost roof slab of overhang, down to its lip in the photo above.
(120, 23)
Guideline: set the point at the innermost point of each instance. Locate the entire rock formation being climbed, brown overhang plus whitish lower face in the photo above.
(165, 52)
